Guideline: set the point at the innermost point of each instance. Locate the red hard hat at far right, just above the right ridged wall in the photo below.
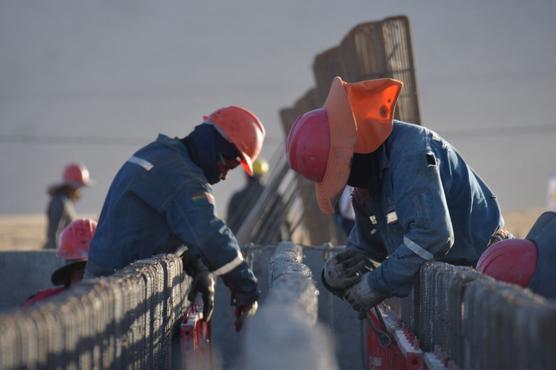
(512, 260)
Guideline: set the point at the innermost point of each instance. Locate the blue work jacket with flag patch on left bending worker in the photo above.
(159, 200)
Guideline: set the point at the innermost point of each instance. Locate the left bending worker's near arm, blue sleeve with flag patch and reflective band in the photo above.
(191, 215)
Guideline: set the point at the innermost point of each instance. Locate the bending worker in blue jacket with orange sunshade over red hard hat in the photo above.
(415, 198)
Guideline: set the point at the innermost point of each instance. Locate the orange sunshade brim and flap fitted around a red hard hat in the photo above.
(360, 119)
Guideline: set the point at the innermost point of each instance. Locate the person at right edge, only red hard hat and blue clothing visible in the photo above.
(527, 262)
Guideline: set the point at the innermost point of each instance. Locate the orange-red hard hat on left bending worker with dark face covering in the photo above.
(242, 128)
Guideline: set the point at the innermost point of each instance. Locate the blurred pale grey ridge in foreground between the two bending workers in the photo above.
(285, 333)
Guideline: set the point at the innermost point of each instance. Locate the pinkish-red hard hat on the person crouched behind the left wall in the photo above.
(74, 240)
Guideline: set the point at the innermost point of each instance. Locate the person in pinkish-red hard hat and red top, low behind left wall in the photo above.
(74, 249)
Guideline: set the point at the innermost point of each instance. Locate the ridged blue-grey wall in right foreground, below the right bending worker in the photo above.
(481, 323)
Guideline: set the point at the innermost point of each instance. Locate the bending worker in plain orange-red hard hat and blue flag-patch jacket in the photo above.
(161, 199)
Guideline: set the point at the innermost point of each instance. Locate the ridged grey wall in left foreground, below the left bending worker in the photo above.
(123, 321)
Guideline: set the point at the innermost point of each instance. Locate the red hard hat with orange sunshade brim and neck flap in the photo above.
(355, 118)
